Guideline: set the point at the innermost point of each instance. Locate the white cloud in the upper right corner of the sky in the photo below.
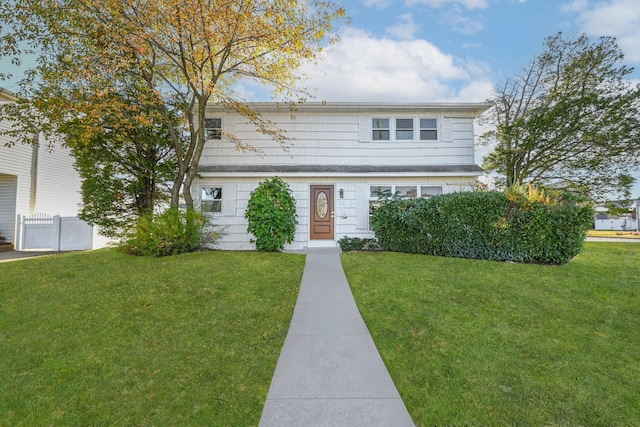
(616, 18)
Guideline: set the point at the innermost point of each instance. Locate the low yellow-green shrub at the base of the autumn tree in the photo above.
(171, 232)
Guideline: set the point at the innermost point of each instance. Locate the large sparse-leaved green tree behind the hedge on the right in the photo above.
(570, 119)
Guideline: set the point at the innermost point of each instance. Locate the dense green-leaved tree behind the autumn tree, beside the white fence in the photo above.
(125, 164)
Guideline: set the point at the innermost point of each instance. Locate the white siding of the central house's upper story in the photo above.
(335, 140)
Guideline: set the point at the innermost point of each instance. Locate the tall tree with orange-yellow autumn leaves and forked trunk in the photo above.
(188, 53)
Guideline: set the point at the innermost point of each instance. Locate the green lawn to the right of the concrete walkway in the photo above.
(473, 343)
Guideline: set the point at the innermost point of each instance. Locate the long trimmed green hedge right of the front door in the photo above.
(510, 226)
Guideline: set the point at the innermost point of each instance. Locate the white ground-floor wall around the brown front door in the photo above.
(351, 211)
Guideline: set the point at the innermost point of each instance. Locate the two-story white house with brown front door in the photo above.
(340, 157)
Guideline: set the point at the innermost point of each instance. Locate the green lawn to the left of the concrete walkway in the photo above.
(103, 338)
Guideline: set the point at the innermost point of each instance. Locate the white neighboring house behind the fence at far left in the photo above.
(34, 180)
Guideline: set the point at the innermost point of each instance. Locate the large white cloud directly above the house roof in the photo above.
(364, 68)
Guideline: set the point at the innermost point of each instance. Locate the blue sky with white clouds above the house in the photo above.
(452, 50)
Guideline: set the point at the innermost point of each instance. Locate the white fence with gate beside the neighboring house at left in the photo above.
(46, 232)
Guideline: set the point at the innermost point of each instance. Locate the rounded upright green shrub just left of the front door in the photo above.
(271, 213)
